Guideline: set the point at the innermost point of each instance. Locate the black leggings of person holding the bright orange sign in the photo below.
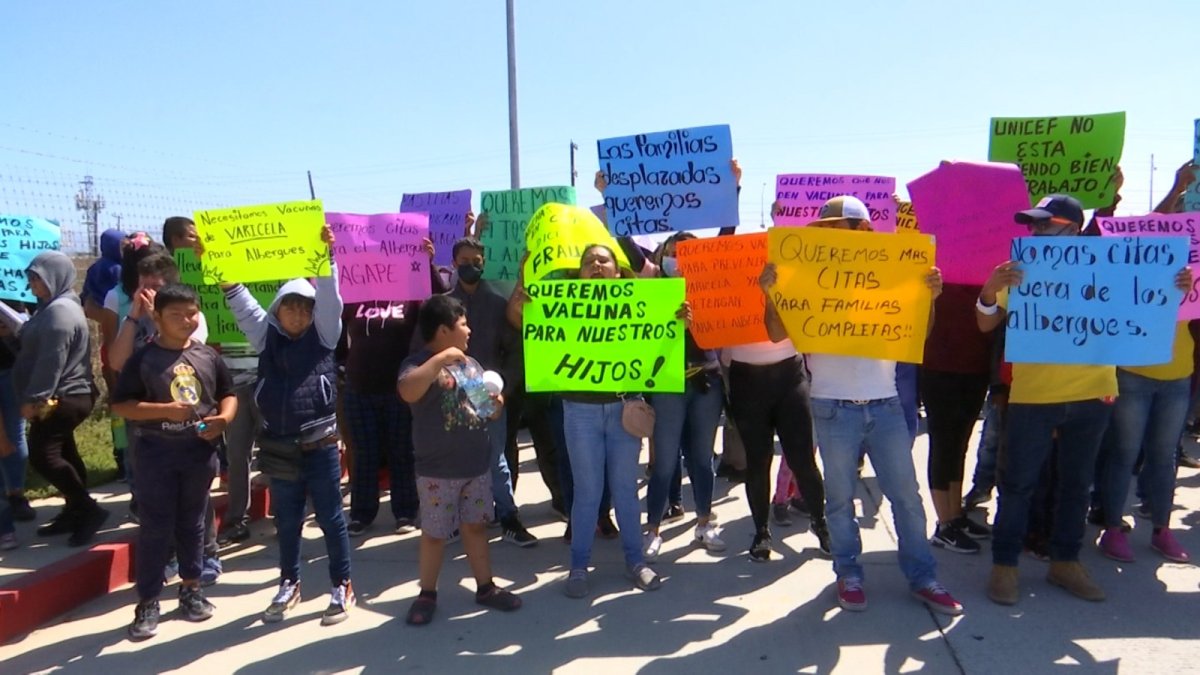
(770, 399)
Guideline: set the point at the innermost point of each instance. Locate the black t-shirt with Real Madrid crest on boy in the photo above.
(158, 375)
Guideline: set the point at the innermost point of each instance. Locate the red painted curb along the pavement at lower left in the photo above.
(44, 595)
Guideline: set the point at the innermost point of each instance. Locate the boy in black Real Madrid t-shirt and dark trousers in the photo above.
(179, 396)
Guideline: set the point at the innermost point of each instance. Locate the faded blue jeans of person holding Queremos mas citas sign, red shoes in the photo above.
(843, 428)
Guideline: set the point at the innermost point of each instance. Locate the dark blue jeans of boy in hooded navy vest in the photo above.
(320, 476)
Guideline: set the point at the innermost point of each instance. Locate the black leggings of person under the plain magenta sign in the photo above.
(952, 407)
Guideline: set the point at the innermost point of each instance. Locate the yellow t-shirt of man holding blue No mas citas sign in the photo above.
(1059, 384)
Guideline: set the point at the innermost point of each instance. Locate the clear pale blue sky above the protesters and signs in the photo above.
(175, 107)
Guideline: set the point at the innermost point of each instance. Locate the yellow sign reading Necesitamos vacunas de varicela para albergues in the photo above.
(263, 243)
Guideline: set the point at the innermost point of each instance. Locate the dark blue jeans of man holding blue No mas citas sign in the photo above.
(1031, 427)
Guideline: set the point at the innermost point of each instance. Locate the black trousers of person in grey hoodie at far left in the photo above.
(53, 452)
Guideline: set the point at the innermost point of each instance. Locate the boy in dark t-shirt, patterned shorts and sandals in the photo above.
(452, 449)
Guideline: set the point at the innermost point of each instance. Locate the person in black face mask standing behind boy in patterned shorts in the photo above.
(496, 345)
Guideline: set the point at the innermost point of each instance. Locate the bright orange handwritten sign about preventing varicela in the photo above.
(723, 289)
